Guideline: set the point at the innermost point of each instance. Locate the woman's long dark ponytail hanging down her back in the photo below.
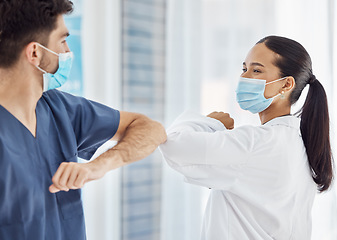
(315, 133)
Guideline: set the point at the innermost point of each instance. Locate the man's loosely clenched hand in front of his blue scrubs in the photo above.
(71, 175)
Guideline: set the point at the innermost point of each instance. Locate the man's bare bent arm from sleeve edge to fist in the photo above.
(139, 139)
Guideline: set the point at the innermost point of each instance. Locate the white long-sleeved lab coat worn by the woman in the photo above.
(260, 177)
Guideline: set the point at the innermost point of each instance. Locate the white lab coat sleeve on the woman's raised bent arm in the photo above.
(205, 152)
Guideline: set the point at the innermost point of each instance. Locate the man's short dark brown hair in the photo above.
(25, 21)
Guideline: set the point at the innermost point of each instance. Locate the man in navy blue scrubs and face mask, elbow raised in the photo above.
(43, 131)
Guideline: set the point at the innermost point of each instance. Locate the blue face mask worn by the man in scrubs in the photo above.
(56, 80)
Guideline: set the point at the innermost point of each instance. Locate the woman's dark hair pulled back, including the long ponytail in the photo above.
(293, 60)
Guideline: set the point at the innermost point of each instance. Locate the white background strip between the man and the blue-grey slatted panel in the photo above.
(101, 66)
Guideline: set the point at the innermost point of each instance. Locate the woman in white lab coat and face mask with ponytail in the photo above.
(263, 179)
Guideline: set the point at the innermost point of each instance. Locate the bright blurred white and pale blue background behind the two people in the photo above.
(161, 57)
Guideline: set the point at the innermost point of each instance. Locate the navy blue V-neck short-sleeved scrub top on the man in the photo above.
(67, 127)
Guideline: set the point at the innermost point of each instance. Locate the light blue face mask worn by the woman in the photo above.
(250, 94)
